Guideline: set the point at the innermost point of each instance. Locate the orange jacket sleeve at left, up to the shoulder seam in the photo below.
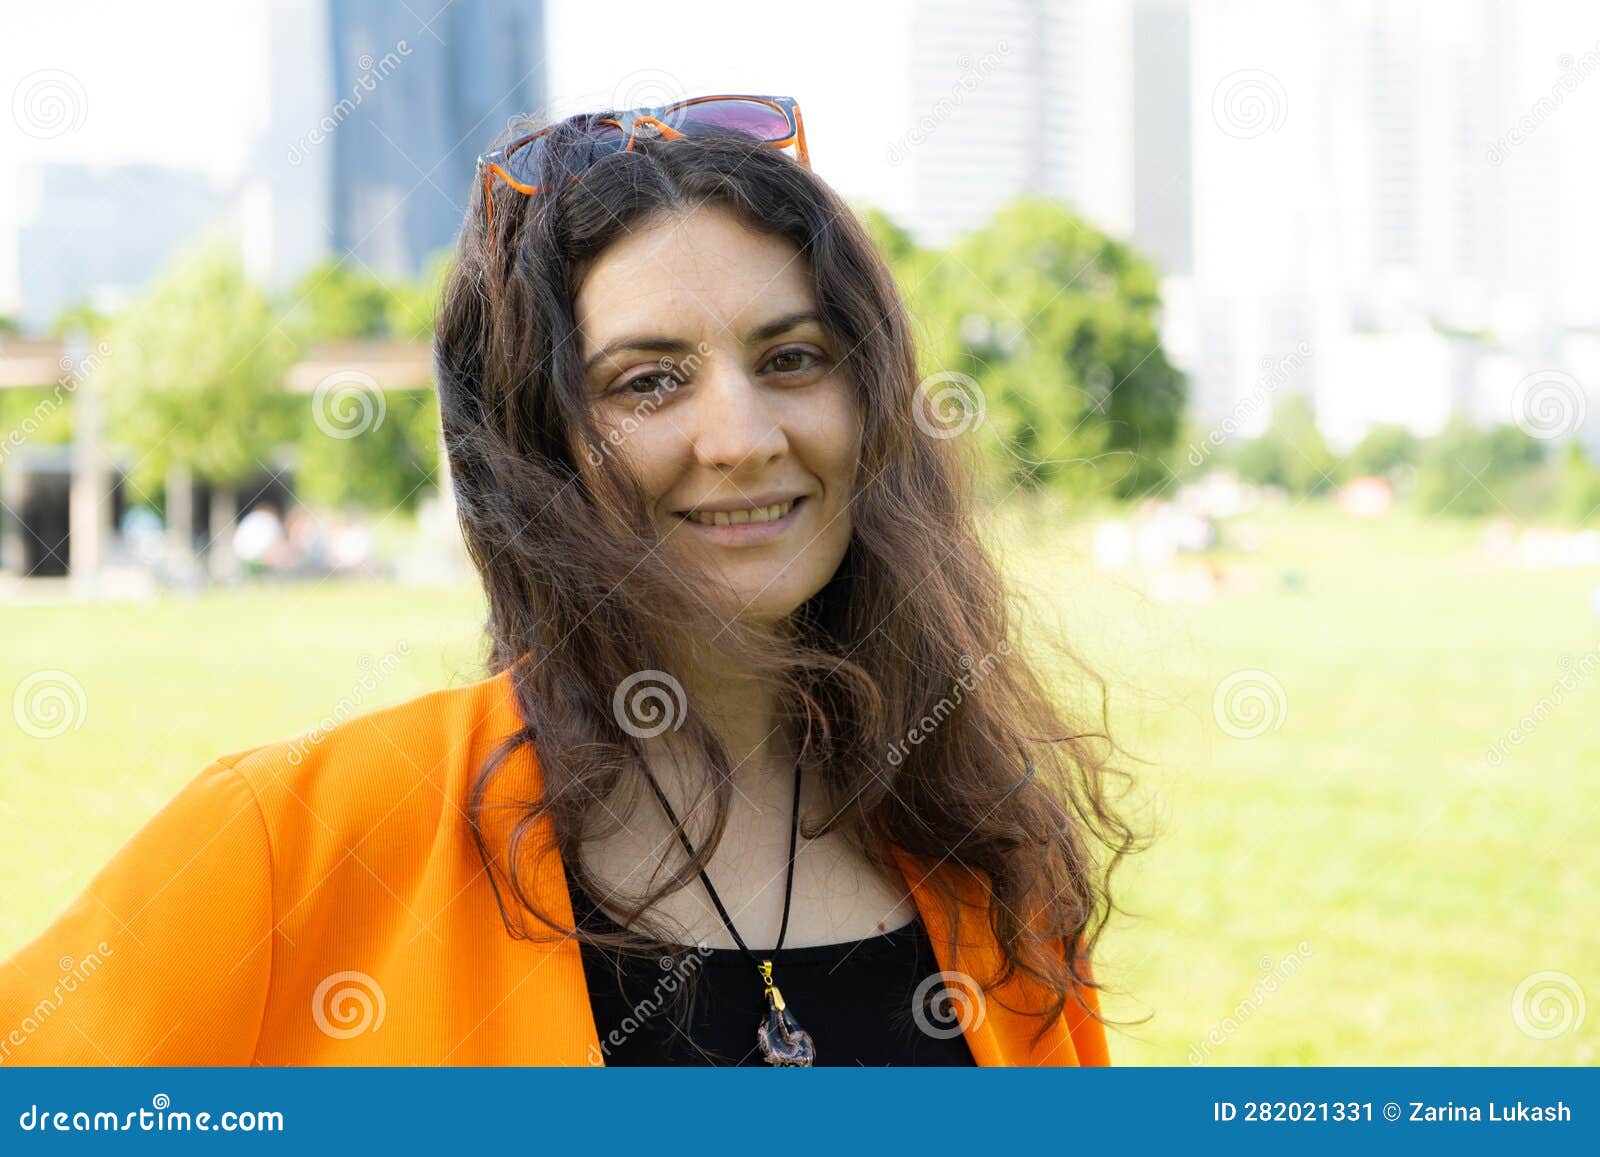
(166, 958)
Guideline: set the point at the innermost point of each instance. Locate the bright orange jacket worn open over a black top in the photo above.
(321, 902)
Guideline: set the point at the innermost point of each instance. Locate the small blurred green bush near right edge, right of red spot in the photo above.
(1468, 473)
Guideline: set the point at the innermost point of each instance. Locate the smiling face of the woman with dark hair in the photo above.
(710, 370)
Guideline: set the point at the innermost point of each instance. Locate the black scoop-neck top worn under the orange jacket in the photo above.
(855, 999)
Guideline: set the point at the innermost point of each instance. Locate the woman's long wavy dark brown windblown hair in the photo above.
(905, 683)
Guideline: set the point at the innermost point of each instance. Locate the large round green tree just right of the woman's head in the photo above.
(1058, 327)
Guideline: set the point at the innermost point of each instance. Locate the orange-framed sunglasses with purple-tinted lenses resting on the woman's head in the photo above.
(774, 121)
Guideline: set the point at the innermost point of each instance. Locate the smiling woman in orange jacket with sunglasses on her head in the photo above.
(759, 779)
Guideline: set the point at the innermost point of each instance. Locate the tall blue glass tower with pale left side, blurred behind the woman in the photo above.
(377, 116)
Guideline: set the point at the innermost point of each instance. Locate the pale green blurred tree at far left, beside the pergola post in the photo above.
(196, 370)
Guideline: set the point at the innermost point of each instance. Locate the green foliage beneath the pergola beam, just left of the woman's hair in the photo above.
(385, 468)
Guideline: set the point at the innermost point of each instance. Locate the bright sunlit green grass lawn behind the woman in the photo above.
(1410, 884)
